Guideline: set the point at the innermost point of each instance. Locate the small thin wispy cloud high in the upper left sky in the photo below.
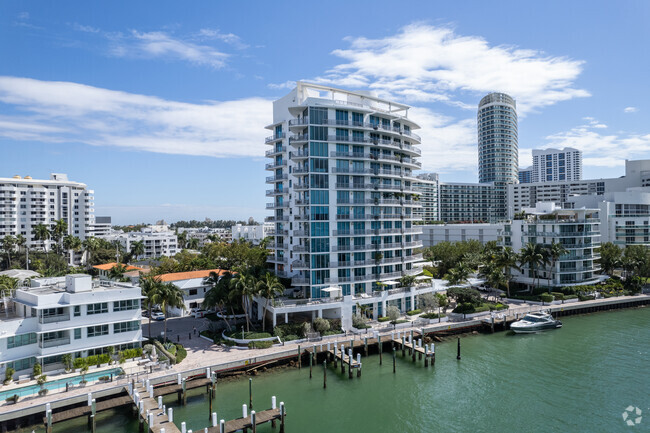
(163, 45)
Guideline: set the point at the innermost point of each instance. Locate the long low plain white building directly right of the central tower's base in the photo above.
(433, 234)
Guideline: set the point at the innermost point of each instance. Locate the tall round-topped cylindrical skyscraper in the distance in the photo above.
(498, 155)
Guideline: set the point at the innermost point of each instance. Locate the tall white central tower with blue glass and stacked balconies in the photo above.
(342, 188)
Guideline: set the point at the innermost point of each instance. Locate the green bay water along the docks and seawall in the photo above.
(578, 378)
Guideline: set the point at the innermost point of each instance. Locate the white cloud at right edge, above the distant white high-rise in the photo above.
(602, 150)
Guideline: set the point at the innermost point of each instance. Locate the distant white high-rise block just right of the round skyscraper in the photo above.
(557, 165)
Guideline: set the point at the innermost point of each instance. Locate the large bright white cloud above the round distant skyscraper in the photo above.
(424, 63)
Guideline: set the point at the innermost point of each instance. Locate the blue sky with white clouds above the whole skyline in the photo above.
(160, 107)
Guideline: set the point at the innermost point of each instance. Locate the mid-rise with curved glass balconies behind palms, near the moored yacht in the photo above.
(578, 230)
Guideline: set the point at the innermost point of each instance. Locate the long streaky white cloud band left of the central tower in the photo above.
(51, 111)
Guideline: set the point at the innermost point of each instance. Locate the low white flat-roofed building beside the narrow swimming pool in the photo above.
(67, 315)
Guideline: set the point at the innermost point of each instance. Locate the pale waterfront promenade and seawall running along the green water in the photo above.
(276, 359)
